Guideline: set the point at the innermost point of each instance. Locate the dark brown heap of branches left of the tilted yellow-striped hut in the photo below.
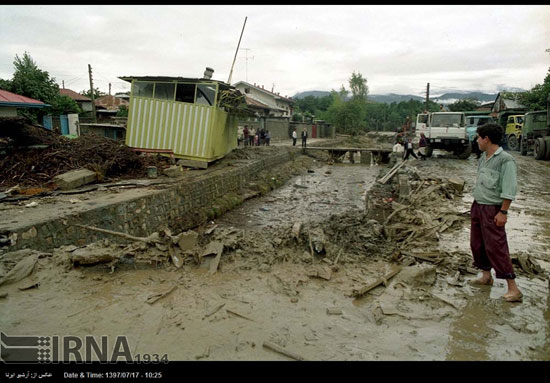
(28, 165)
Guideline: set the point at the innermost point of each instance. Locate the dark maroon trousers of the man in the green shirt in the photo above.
(488, 241)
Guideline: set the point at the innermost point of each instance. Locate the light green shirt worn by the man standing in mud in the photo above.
(496, 178)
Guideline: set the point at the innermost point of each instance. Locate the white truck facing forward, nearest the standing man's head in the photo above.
(445, 131)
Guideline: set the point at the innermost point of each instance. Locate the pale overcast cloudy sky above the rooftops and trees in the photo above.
(290, 48)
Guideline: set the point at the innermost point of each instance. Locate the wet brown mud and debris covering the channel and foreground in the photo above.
(292, 263)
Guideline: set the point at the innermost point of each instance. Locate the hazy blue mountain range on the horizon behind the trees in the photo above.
(445, 98)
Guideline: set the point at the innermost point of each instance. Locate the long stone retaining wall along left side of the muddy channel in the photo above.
(178, 207)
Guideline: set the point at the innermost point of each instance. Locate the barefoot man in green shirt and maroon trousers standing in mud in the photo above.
(494, 191)
